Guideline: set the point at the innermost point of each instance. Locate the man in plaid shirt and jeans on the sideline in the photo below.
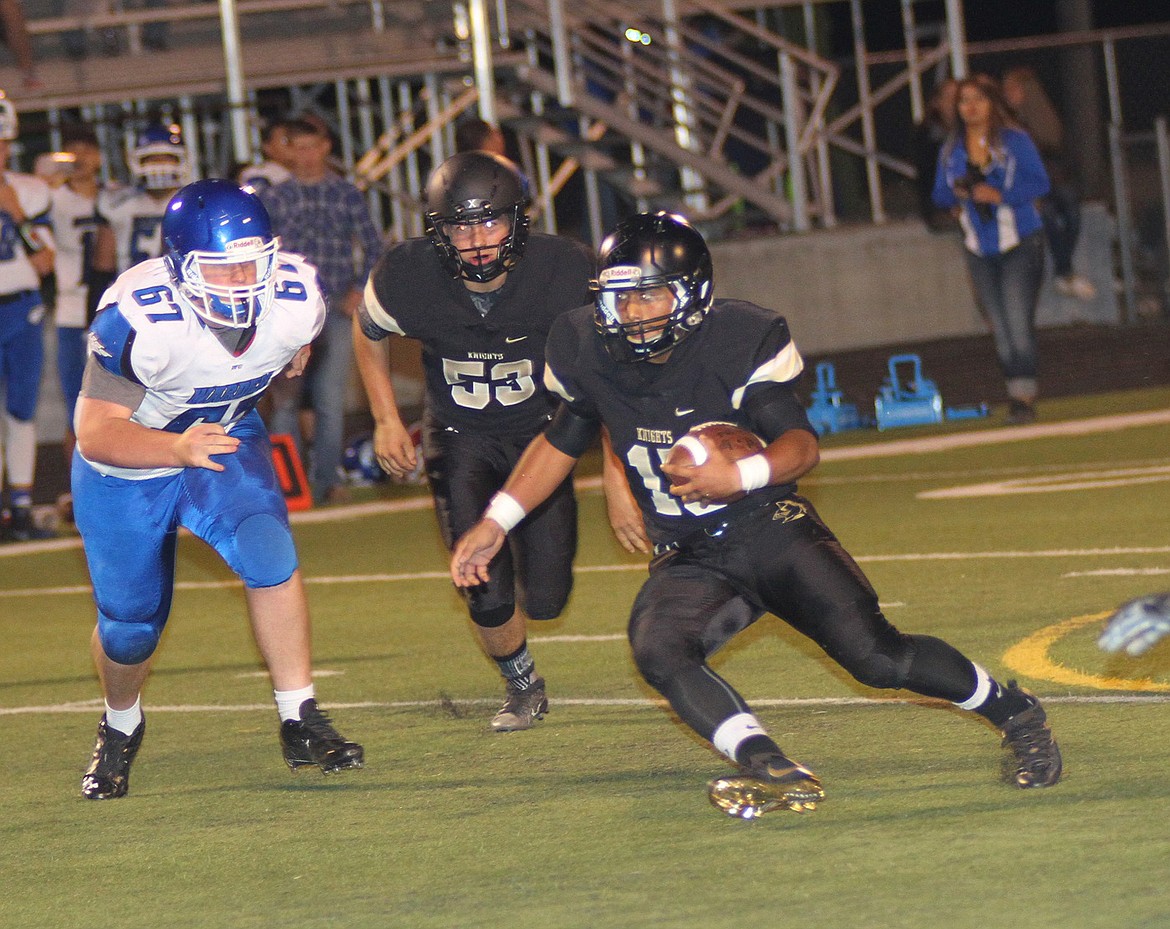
(325, 218)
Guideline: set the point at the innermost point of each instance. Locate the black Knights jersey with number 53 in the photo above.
(484, 374)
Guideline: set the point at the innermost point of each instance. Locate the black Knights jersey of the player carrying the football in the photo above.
(648, 408)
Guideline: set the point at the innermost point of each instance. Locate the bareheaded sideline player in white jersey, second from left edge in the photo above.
(75, 223)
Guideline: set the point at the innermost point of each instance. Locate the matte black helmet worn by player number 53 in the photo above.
(473, 189)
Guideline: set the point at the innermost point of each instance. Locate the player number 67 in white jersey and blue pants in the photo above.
(168, 437)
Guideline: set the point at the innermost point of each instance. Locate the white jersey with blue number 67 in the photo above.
(148, 334)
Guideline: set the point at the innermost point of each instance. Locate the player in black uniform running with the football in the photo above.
(652, 359)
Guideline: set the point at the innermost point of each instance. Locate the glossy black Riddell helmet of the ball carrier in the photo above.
(648, 251)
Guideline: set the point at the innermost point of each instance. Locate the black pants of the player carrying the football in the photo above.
(780, 559)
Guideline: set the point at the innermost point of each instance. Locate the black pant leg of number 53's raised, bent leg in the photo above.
(546, 546)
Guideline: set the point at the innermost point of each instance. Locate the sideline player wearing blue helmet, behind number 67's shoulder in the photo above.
(133, 217)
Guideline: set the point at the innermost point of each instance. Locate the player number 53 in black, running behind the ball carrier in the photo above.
(480, 294)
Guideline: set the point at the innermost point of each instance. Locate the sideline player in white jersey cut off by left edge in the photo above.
(26, 257)
